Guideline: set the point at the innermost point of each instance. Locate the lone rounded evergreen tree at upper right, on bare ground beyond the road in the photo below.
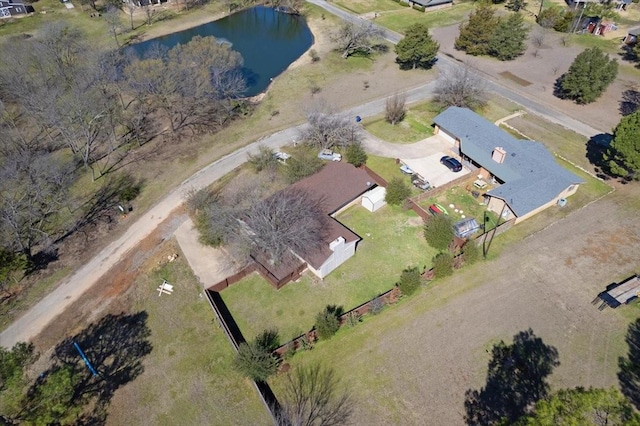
(588, 77)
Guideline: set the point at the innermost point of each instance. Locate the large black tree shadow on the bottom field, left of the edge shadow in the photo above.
(516, 380)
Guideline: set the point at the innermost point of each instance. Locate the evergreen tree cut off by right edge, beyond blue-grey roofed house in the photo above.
(624, 153)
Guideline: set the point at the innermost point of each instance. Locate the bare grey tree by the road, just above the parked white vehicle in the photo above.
(328, 130)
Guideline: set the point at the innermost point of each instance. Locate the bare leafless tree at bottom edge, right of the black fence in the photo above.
(313, 396)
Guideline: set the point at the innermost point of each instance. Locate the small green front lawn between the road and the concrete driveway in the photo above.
(416, 125)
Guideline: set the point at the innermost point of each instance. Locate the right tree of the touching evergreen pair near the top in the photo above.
(508, 39)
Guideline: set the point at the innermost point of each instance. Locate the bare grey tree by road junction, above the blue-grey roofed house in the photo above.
(461, 86)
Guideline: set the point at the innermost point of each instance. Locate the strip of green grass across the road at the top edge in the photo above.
(400, 20)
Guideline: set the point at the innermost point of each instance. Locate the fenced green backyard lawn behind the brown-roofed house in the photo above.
(391, 240)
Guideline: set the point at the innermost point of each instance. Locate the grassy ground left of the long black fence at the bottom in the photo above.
(187, 378)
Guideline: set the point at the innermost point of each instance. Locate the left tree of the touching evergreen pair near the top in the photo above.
(476, 34)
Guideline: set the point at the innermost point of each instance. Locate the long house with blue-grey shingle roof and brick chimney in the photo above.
(527, 176)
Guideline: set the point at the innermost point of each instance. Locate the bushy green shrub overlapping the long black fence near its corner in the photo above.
(256, 360)
